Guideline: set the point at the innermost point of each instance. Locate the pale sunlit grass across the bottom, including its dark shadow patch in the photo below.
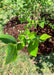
(21, 65)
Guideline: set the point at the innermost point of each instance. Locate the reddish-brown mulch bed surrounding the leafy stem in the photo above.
(13, 29)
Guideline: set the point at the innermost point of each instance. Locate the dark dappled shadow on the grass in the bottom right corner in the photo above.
(44, 62)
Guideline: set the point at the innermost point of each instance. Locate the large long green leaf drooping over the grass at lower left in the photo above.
(11, 53)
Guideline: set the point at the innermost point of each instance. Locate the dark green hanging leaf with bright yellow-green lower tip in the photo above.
(33, 47)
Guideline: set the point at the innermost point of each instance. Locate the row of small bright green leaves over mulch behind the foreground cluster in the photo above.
(40, 22)
